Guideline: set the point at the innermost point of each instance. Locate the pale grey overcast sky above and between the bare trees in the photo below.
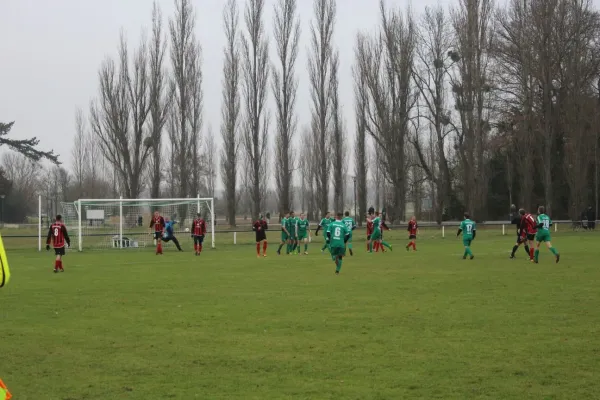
(51, 50)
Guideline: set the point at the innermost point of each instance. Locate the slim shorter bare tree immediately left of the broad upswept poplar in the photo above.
(360, 145)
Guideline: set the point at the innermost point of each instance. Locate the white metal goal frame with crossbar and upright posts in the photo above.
(121, 201)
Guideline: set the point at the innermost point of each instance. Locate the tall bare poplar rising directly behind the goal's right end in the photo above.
(185, 121)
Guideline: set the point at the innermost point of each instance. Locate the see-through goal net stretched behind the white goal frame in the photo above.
(124, 223)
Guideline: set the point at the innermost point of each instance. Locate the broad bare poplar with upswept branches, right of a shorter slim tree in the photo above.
(386, 62)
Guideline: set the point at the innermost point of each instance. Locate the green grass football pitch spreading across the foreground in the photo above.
(226, 325)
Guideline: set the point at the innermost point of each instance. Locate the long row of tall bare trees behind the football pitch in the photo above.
(474, 108)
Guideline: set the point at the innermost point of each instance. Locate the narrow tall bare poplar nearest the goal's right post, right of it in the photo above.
(230, 109)
